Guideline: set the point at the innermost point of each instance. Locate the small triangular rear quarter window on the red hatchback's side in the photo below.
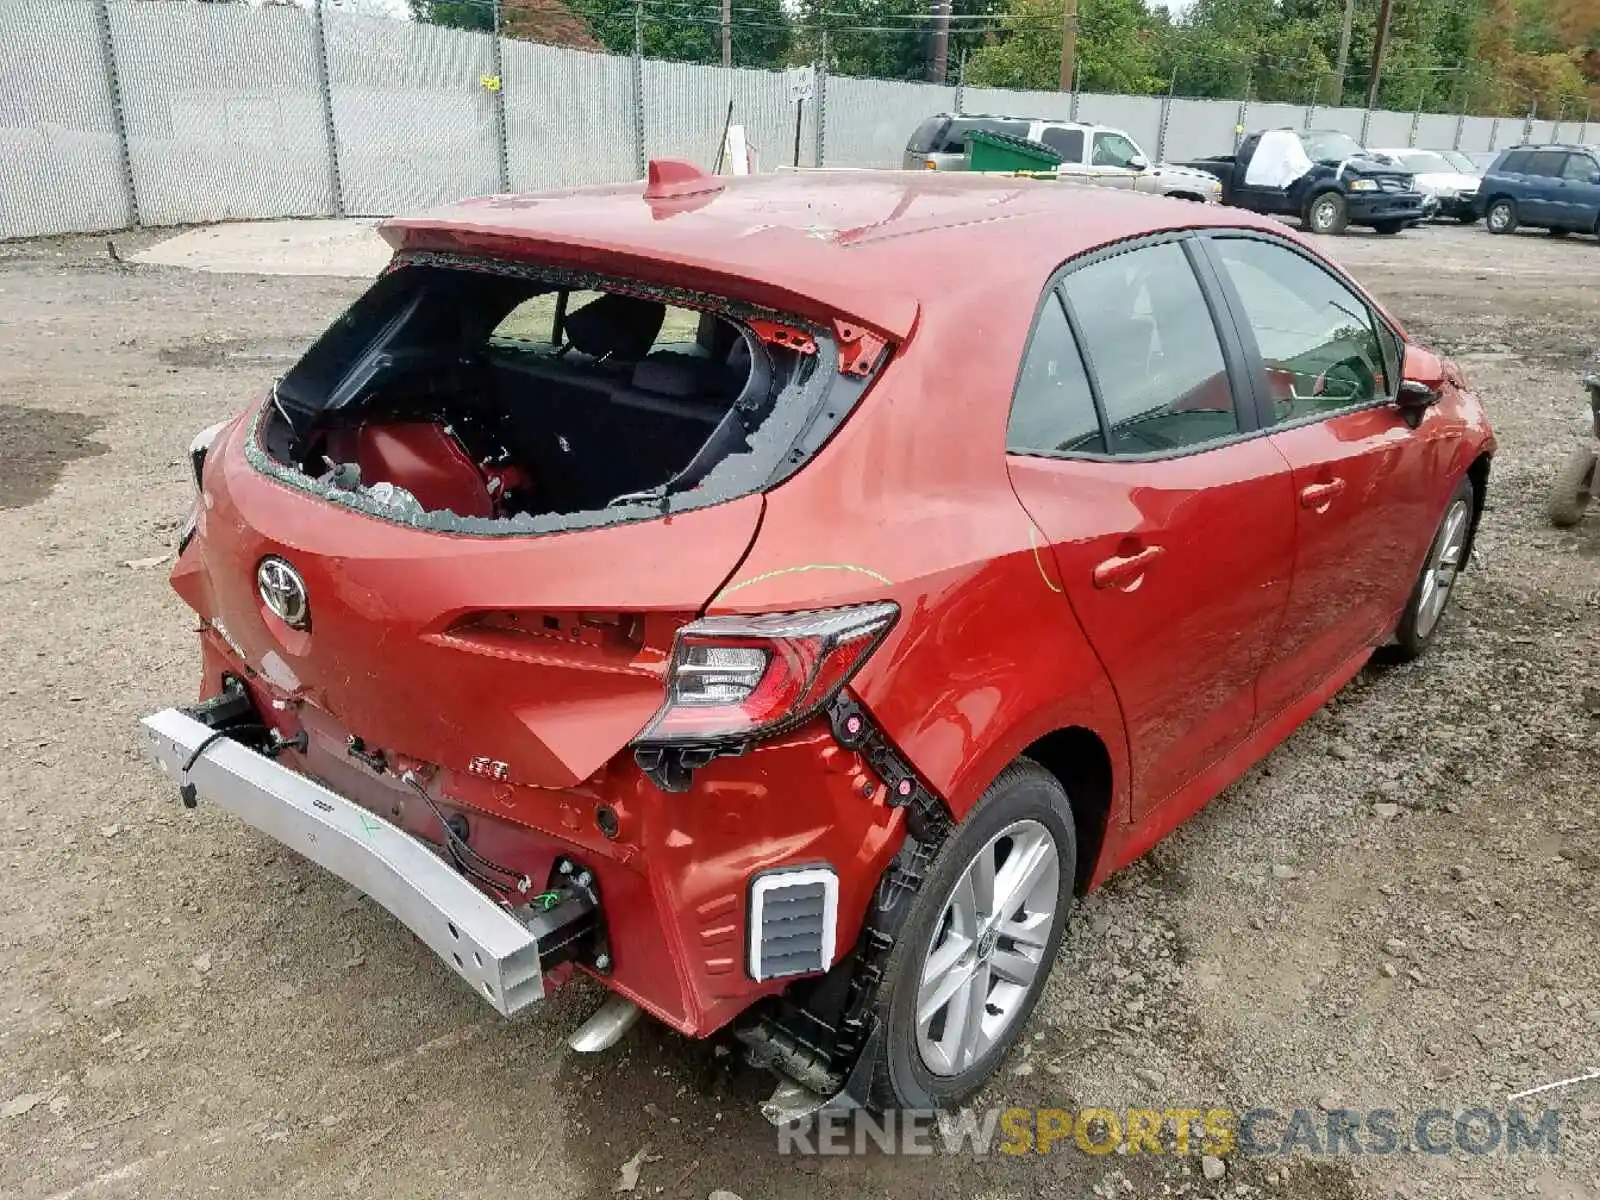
(1054, 410)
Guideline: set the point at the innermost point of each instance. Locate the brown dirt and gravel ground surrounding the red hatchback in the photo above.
(1398, 910)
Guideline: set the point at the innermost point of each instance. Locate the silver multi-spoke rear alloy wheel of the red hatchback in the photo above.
(988, 948)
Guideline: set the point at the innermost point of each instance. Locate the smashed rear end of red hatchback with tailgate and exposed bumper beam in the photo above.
(450, 574)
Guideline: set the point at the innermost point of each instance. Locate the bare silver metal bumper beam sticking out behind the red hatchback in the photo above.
(482, 942)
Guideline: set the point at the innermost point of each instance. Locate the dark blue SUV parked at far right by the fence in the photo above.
(1554, 188)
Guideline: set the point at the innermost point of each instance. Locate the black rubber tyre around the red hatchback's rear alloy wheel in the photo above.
(900, 1078)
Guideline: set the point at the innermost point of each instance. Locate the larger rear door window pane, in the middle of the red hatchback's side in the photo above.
(1154, 351)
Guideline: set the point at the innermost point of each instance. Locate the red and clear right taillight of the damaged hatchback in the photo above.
(742, 678)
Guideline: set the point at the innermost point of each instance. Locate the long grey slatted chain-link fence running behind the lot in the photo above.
(121, 113)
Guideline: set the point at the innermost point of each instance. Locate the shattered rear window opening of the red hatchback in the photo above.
(476, 396)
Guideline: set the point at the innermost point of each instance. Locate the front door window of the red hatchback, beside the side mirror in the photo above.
(1319, 342)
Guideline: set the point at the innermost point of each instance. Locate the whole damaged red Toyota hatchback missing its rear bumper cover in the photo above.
(778, 598)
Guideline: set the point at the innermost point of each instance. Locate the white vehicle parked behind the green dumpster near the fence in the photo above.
(1090, 153)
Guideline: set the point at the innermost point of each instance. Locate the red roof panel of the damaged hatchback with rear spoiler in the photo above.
(870, 246)
